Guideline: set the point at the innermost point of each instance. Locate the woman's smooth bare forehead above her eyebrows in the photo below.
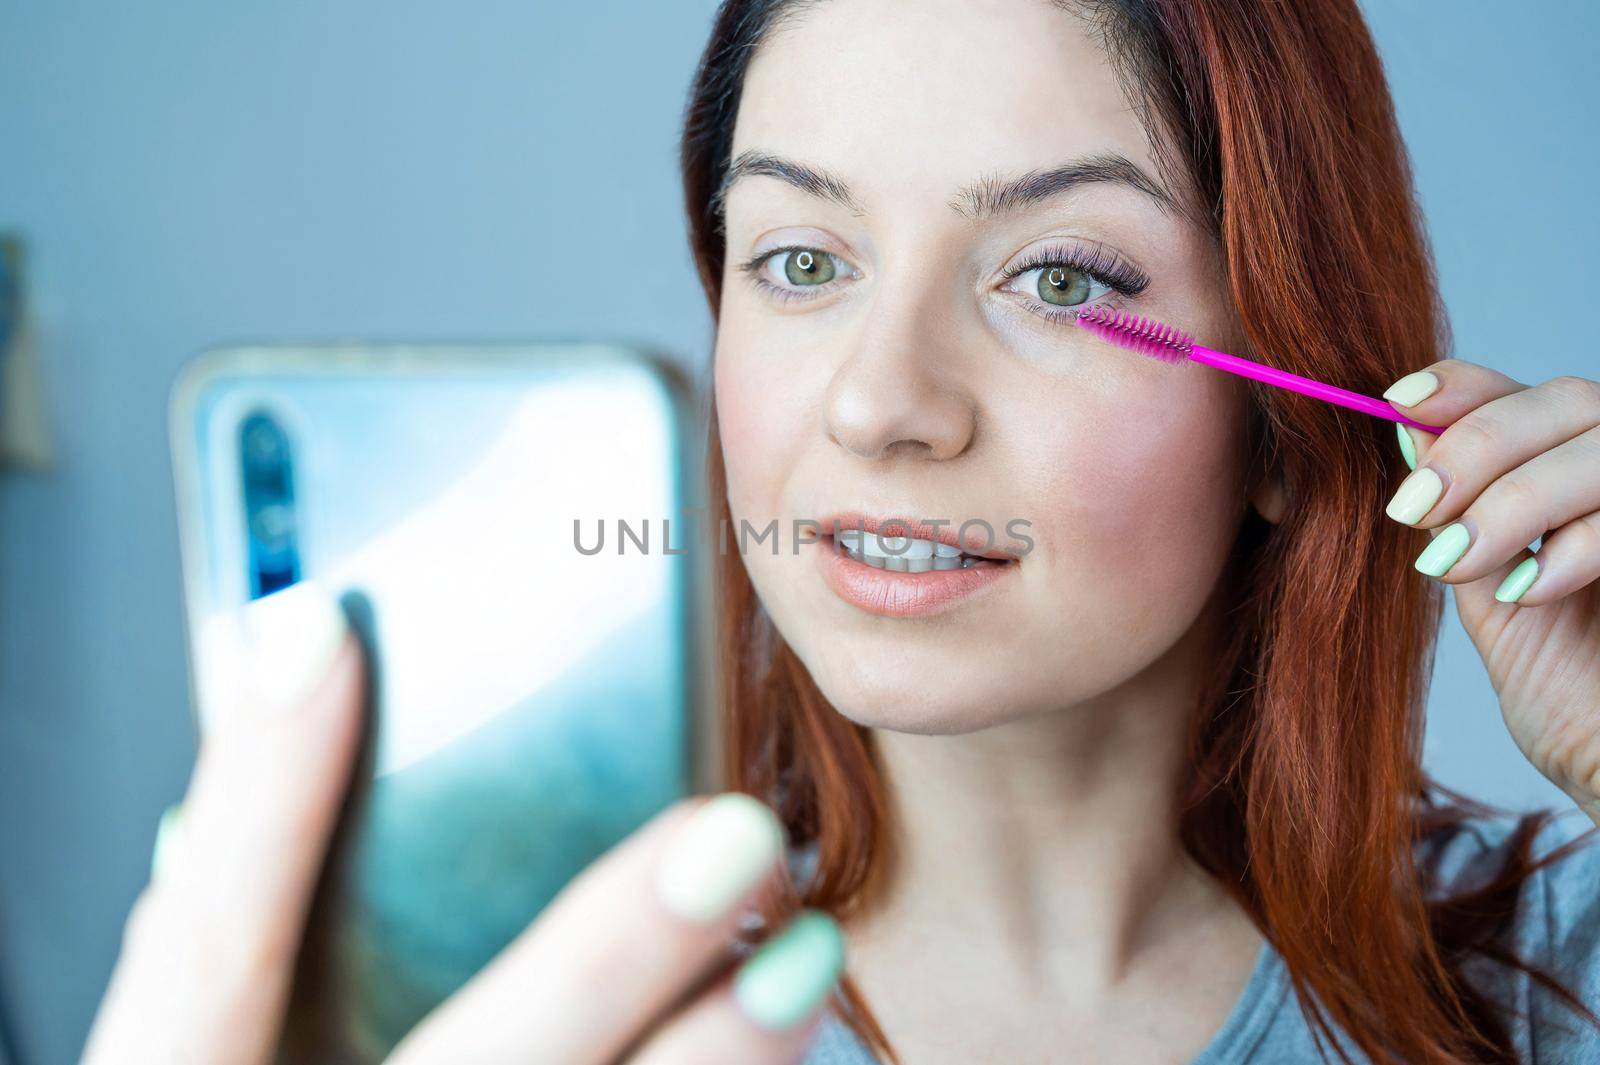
(916, 98)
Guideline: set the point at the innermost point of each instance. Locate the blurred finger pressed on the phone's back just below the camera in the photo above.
(210, 944)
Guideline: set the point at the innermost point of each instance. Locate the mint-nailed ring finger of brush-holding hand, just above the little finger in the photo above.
(1538, 497)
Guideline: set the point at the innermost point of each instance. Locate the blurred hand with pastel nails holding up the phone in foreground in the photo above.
(633, 957)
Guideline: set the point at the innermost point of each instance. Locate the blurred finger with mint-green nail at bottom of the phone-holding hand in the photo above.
(767, 1013)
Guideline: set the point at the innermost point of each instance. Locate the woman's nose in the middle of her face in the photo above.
(902, 393)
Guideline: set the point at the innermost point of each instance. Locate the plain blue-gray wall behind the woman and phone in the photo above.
(198, 174)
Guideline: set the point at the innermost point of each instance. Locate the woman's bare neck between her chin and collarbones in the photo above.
(1052, 840)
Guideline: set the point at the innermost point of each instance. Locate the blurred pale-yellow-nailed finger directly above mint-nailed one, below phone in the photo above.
(620, 946)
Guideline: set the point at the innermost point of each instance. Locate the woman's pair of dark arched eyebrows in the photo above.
(986, 197)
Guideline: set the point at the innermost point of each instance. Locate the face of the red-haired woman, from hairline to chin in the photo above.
(895, 341)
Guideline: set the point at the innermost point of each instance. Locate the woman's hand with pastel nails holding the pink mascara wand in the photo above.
(1516, 463)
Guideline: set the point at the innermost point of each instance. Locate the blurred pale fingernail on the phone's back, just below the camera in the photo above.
(292, 639)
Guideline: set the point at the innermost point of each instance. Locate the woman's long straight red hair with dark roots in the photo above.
(1306, 797)
